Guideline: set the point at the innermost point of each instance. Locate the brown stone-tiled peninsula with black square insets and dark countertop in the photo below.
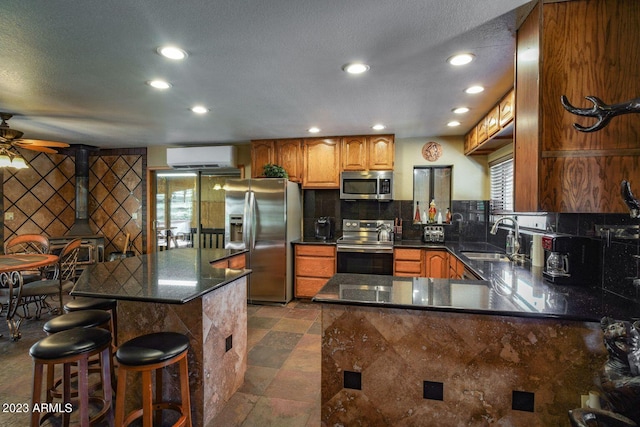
(448, 352)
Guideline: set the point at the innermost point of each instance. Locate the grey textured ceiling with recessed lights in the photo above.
(75, 71)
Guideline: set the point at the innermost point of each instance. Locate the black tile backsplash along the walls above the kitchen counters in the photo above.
(618, 258)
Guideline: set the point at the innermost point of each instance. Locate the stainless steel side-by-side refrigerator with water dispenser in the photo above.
(264, 215)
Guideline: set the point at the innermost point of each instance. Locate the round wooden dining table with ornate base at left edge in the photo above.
(11, 283)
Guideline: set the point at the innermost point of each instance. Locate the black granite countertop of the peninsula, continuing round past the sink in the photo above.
(504, 288)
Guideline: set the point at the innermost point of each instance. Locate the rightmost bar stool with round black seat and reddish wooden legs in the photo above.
(145, 354)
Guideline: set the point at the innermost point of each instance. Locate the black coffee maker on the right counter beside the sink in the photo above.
(570, 260)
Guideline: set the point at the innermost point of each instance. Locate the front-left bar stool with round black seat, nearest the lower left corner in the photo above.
(67, 348)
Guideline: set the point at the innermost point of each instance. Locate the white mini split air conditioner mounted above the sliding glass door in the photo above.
(219, 156)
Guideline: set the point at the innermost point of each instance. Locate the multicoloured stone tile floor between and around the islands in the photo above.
(282, 383)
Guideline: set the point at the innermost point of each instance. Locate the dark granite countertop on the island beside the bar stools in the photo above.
(175, 276)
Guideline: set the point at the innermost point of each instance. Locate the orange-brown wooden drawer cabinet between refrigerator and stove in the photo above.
(314, 266)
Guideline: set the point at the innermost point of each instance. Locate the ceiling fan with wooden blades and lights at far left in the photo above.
(12, 138)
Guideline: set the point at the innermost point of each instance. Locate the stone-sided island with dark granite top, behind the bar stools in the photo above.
(179, 291)
